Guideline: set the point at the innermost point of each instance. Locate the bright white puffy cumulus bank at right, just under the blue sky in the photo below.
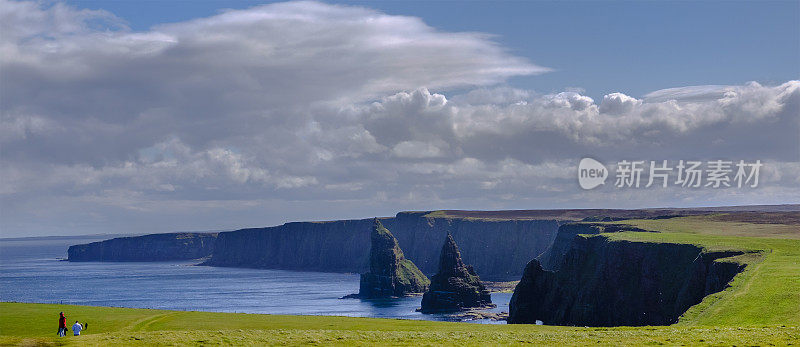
(752, 120)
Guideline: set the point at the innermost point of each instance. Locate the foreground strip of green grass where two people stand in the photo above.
(35, 324)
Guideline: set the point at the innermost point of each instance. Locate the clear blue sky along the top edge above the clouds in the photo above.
(600, 46)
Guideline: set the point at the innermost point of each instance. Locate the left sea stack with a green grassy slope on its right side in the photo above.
(390, 273)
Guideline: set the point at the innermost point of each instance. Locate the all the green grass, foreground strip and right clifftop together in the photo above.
(762, 307)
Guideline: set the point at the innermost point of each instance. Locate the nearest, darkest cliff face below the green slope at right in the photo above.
(615, 283)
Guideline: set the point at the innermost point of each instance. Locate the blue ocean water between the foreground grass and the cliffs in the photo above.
(30, 271)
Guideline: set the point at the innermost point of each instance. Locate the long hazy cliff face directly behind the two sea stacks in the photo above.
(499, 250)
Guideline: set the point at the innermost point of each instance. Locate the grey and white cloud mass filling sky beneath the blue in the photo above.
(304, 110)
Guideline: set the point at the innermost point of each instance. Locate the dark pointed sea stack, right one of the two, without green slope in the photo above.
(456, 286)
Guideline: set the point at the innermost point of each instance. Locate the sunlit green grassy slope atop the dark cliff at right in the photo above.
(767, 292)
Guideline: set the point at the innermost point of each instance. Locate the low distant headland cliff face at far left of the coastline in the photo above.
(155, 247)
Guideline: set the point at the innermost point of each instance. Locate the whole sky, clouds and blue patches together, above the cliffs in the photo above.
(138, 117)
